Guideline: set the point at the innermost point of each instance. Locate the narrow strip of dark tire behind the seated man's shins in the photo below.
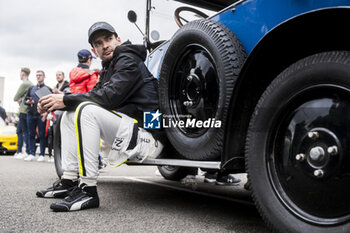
(57, 146)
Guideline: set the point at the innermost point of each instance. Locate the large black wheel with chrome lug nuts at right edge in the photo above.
(296, 183)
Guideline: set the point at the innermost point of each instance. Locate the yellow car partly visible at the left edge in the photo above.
(8, 138)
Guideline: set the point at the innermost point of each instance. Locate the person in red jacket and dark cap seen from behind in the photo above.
(82, 79)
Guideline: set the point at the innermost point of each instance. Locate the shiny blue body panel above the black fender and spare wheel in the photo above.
(252, 20)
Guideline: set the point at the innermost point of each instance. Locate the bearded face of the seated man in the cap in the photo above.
(104, 44)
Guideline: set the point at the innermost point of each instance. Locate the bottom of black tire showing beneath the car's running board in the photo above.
(176, 173)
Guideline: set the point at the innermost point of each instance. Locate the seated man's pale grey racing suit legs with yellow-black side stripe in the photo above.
(82, 130)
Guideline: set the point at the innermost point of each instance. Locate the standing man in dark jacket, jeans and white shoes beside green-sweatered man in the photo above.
(34, 119)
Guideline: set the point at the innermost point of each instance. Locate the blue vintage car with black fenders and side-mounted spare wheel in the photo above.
(276, 74)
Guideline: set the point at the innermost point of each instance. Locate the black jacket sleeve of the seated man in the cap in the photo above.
(112, 93)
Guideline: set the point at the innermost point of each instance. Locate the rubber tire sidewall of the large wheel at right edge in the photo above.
(286, 85)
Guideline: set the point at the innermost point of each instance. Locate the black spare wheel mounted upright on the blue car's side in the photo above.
(199, 70)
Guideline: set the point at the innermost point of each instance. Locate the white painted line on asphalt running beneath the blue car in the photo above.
(140, 179)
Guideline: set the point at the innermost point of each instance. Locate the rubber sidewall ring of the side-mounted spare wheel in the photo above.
(194, 33)
